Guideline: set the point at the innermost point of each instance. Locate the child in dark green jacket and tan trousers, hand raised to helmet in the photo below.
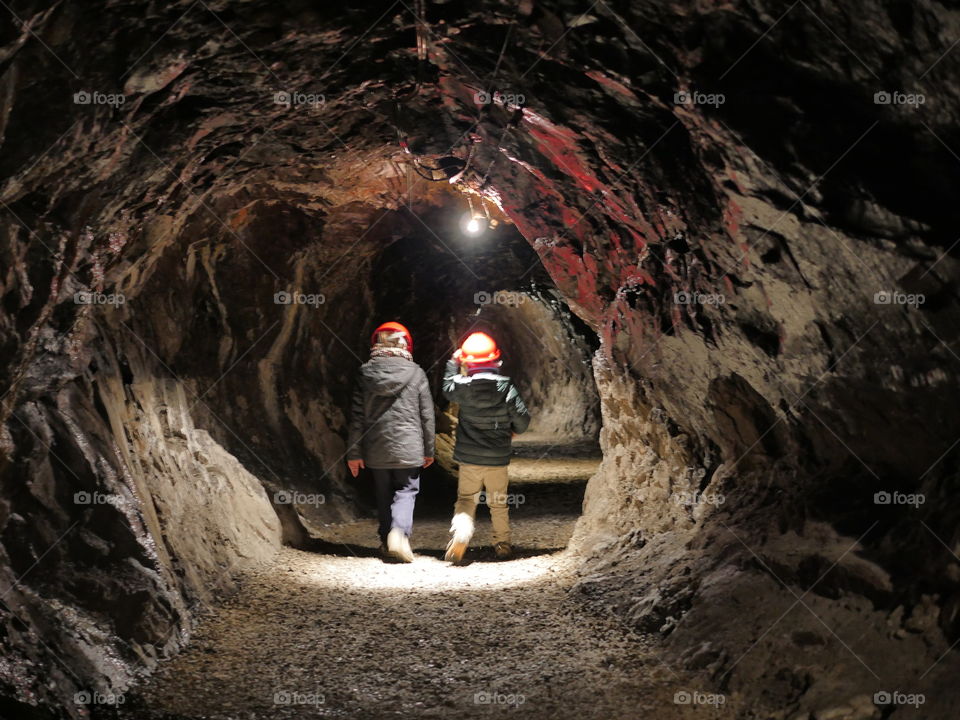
(491, 412)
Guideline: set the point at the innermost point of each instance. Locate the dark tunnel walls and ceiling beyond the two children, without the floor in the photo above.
(443, 284)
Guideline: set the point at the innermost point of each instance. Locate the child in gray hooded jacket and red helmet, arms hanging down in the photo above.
(392, 433)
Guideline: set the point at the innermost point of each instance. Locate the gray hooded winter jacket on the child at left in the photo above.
(391, 420)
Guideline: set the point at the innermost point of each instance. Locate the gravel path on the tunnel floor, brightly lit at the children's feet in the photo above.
(347, 635)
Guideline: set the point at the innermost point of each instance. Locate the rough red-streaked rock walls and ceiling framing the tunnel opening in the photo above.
(737, 260)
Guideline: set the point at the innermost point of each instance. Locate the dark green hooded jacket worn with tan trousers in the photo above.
(491, 410)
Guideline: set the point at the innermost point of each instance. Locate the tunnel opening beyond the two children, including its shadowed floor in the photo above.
(443, 284)
